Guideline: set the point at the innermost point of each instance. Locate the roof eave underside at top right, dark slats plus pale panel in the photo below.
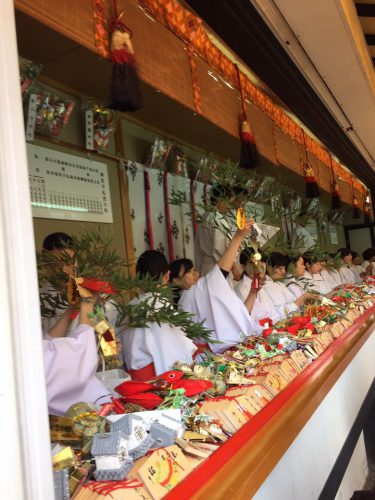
(313, 55)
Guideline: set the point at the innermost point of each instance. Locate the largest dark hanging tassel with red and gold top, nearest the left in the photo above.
(125, 91)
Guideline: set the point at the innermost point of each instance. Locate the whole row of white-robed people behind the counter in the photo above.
(230, 291)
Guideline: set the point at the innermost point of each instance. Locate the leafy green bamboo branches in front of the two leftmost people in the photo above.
(92, 256)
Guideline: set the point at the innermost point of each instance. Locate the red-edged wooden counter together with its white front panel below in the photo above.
(289, 448)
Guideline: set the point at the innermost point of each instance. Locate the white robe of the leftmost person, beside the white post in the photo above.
(70, 365)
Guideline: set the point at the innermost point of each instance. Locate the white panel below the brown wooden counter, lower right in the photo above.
(306, 465)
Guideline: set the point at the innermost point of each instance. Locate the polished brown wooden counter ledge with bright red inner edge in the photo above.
(240, 466)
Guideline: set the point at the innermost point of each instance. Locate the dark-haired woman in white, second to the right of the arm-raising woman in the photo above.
(283, 300)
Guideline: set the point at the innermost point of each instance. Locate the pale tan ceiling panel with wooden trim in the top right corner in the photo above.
(334, 58)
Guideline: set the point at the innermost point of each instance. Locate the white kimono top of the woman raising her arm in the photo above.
(213, 301)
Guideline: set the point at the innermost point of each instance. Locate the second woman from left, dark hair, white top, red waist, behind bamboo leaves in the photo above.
(152, 350)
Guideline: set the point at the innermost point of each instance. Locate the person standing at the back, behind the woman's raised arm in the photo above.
(211, 239)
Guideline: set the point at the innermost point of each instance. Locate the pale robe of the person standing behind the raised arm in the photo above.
(210, 242)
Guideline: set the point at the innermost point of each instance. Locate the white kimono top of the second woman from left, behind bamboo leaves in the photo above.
(161, 344)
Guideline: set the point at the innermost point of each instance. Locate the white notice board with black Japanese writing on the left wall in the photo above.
(64, 186)
